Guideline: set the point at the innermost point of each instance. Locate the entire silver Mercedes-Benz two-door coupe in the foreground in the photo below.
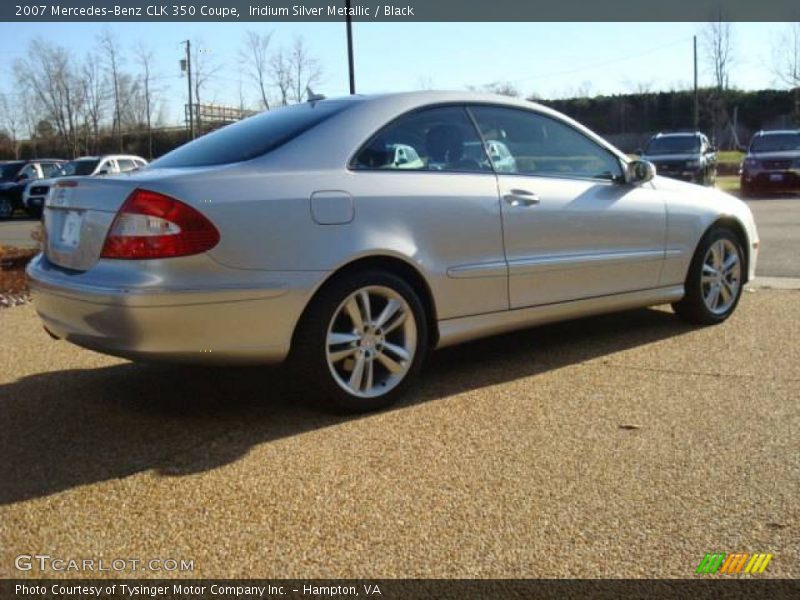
(351, 236)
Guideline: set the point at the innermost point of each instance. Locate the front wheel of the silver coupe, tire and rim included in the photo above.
(715, 279)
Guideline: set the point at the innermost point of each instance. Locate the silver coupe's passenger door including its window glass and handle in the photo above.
(572, 228)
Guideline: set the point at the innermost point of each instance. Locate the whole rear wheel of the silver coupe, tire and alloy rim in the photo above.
(391, 353)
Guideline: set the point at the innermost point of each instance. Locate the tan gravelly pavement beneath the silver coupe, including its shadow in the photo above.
(619, 446)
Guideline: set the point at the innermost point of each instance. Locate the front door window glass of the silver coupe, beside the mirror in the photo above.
(532, 144)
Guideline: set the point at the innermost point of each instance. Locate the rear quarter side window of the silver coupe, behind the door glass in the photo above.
(435, 139)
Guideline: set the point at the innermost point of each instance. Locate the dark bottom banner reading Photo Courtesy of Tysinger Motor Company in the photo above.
(396, 589)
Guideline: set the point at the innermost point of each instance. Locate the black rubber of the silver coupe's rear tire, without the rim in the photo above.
(308, 357)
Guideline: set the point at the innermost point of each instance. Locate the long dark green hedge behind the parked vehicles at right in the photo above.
(627, 115)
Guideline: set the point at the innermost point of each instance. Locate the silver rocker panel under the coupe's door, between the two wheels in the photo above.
(463, 329)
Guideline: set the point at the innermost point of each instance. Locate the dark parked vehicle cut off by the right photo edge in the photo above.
(772, 162)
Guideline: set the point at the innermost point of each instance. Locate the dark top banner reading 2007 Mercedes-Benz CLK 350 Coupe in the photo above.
(400, 10)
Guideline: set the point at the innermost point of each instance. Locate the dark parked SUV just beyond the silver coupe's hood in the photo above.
(685, 156)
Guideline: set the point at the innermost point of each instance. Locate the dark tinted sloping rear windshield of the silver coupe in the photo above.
(252, 137)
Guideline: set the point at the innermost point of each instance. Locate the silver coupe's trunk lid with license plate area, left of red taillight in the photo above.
(77, 216)
